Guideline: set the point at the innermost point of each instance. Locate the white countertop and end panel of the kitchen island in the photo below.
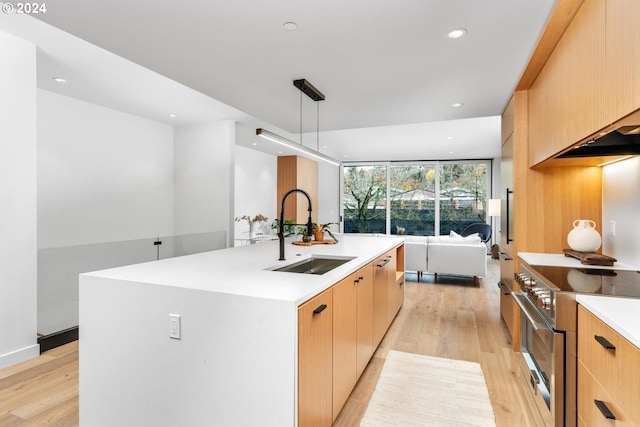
(236, 360)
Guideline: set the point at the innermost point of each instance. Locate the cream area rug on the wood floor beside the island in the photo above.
(416, 390)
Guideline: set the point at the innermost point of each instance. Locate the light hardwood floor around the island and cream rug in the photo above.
(449, 319)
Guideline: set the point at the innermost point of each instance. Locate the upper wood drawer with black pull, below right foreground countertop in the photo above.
(616, 369)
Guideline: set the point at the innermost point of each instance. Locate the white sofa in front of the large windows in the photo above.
(447, 255)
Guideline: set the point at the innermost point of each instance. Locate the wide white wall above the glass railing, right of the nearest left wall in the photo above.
(103, 175)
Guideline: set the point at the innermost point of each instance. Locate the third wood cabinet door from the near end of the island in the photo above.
(364, 318)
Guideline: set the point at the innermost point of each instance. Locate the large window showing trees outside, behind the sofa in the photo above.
(426, 198)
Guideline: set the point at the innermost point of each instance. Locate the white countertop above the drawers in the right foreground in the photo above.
(620, 314)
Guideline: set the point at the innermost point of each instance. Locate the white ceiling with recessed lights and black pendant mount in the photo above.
(378, 62)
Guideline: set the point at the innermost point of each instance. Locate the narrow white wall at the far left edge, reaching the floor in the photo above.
(18, 222)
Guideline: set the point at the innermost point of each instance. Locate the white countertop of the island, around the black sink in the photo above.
(244, 270)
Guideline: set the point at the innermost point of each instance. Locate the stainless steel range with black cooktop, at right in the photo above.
(548, 327)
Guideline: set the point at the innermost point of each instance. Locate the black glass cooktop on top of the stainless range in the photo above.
(591, 280)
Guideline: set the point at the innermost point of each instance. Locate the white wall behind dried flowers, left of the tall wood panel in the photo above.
(255, 189)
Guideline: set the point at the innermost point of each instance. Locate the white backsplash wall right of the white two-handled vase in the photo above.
(621, 203)
